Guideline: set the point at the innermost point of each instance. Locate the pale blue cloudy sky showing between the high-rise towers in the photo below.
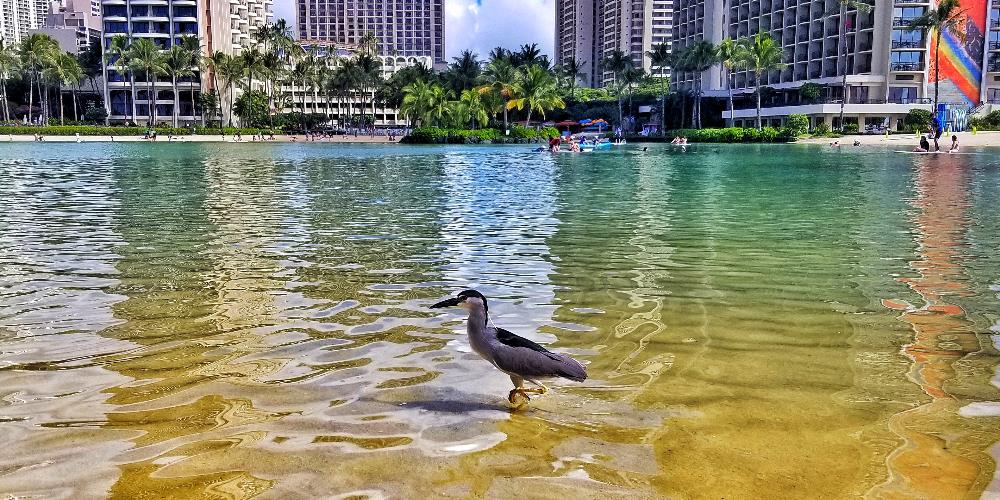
(480, 25)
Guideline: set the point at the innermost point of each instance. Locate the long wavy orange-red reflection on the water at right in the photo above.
(924, 466)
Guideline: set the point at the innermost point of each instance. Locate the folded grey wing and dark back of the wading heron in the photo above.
(521, 356)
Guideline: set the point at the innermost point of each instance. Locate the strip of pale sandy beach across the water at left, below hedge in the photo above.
(247, 139)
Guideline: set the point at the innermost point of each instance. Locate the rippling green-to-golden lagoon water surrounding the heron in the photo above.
(219, 321)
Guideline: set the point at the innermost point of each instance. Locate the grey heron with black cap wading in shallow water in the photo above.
(518, 357)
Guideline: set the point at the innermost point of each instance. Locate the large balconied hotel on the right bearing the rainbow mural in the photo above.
(889, 68)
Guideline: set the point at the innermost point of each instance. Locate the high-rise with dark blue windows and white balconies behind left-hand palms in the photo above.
(220, 25)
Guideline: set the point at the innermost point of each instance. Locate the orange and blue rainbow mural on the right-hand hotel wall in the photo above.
(961, 55)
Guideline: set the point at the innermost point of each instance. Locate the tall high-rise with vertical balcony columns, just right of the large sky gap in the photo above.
(590, 30)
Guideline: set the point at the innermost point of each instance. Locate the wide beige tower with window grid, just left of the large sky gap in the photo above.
(404, 28)
